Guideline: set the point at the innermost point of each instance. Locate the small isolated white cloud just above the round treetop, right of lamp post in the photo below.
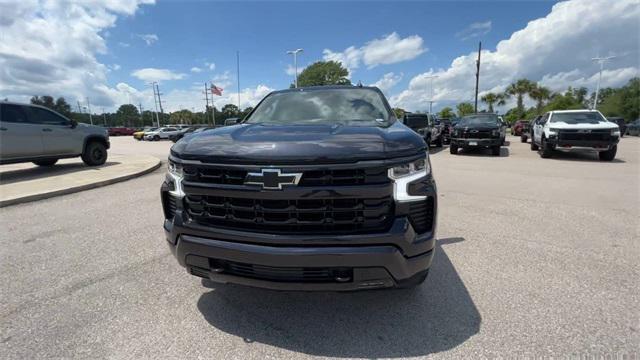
(389, 49)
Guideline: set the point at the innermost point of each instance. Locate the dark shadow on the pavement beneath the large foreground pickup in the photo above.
(436, 316)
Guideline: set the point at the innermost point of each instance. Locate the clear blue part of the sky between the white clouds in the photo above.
(262, 32)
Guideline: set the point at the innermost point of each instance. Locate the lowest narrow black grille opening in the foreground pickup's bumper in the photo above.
(284, 274)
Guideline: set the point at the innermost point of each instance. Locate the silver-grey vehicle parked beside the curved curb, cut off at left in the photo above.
(42, 136)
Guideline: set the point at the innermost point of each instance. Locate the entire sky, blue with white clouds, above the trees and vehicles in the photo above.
(106, 53)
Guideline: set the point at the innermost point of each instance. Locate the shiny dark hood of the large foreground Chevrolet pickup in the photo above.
(262, 143)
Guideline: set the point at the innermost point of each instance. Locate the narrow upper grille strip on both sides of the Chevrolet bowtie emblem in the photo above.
(343, 177)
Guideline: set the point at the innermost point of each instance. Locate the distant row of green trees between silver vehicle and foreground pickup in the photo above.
(128, 115)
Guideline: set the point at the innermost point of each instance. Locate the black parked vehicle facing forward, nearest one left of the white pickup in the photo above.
(479, 131)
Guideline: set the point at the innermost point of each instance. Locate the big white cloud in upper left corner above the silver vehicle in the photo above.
(50, 47)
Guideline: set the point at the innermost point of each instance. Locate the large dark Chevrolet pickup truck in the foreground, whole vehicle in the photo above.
(317, 188)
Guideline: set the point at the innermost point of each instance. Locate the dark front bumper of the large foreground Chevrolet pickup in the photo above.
(293, 261)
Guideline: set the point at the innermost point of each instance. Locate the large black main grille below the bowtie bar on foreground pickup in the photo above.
(310, 216)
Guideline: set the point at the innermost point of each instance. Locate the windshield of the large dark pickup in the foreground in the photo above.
(344, 106)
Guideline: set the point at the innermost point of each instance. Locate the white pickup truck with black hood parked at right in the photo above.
(575, 130)
